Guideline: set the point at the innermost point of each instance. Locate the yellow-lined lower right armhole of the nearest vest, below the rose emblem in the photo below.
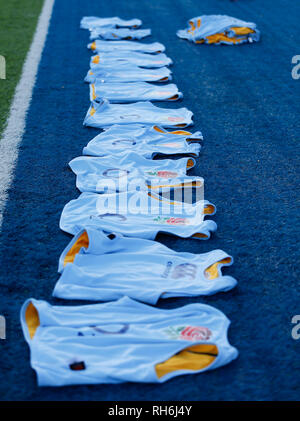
(193, 358)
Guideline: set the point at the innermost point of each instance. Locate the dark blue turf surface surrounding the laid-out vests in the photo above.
(247, 105)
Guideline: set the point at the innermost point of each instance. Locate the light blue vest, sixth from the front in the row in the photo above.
(103, 114)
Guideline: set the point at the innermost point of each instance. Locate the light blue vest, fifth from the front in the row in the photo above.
(143, 140)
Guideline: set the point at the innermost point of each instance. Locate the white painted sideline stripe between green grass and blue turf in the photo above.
(13, 132)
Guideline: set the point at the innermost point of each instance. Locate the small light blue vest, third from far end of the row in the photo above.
(108, 46)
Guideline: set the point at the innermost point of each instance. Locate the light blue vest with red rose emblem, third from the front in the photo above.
(138, 214)
